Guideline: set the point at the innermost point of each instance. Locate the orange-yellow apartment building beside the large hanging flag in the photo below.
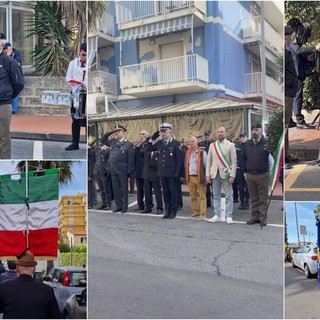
(73, 219)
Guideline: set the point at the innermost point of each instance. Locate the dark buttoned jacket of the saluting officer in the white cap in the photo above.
(170, 159)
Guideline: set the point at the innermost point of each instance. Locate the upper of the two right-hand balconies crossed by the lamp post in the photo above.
(251, 32)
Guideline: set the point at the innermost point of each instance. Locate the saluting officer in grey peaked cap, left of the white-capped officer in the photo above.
(120, 163)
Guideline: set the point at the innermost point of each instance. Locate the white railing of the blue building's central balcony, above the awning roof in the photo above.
(181, 69)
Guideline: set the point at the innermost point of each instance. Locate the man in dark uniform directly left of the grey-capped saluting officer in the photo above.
(102, 176)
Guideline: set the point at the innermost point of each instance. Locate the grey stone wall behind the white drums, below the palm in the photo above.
(30, 97)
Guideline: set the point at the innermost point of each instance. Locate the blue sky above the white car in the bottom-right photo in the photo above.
(305, 218)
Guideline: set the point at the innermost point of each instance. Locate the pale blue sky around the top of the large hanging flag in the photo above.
(78, 184)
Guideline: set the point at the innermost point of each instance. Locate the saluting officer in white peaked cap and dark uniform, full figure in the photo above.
(169, 166)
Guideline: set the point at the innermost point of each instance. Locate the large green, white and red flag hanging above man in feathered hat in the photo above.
(29, 214)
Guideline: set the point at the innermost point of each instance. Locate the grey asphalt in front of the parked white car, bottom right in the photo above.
(301, 295)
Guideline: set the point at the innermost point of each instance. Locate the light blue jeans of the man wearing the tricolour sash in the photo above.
(217, 183)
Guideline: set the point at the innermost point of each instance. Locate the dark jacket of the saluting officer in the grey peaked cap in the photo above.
(121, 159)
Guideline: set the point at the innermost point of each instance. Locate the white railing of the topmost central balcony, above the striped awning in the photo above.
(128, 11)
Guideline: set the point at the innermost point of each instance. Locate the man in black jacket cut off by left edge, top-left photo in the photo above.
(11, 84)
